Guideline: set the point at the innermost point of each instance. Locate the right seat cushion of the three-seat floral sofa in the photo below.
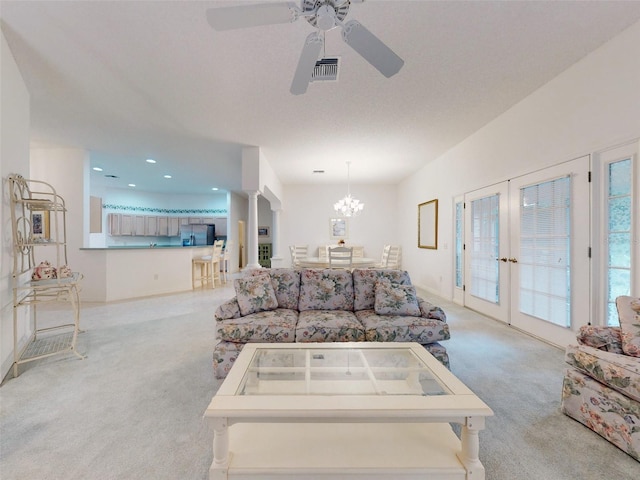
(400, 328)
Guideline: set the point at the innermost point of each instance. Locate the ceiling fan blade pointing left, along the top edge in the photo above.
(244, 16)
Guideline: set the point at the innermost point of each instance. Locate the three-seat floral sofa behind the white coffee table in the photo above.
(310, 305)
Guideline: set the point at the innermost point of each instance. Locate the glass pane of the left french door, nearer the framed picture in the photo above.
(485, 228)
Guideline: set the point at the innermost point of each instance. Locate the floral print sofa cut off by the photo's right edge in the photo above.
(602, 386)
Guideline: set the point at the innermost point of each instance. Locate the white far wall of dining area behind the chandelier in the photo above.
(305, 217)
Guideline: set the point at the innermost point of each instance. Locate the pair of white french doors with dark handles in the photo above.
(527, 251)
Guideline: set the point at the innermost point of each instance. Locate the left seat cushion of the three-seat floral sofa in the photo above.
(267, 326)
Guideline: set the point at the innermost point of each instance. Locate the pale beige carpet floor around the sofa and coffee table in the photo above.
(133, 408)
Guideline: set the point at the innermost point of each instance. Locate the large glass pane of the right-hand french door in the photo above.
(545, 235)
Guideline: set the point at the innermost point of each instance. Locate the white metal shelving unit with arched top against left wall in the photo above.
(38, 220)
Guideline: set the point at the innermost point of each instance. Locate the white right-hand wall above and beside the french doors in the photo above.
(593, 105)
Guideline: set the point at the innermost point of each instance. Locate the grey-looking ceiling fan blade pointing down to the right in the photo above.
(371, 48)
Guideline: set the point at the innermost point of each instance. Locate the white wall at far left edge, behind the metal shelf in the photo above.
(14, 158)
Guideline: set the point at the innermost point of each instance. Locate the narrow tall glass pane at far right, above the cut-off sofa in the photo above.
(618, 234)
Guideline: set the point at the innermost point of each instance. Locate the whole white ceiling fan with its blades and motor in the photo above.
(321, 14)
